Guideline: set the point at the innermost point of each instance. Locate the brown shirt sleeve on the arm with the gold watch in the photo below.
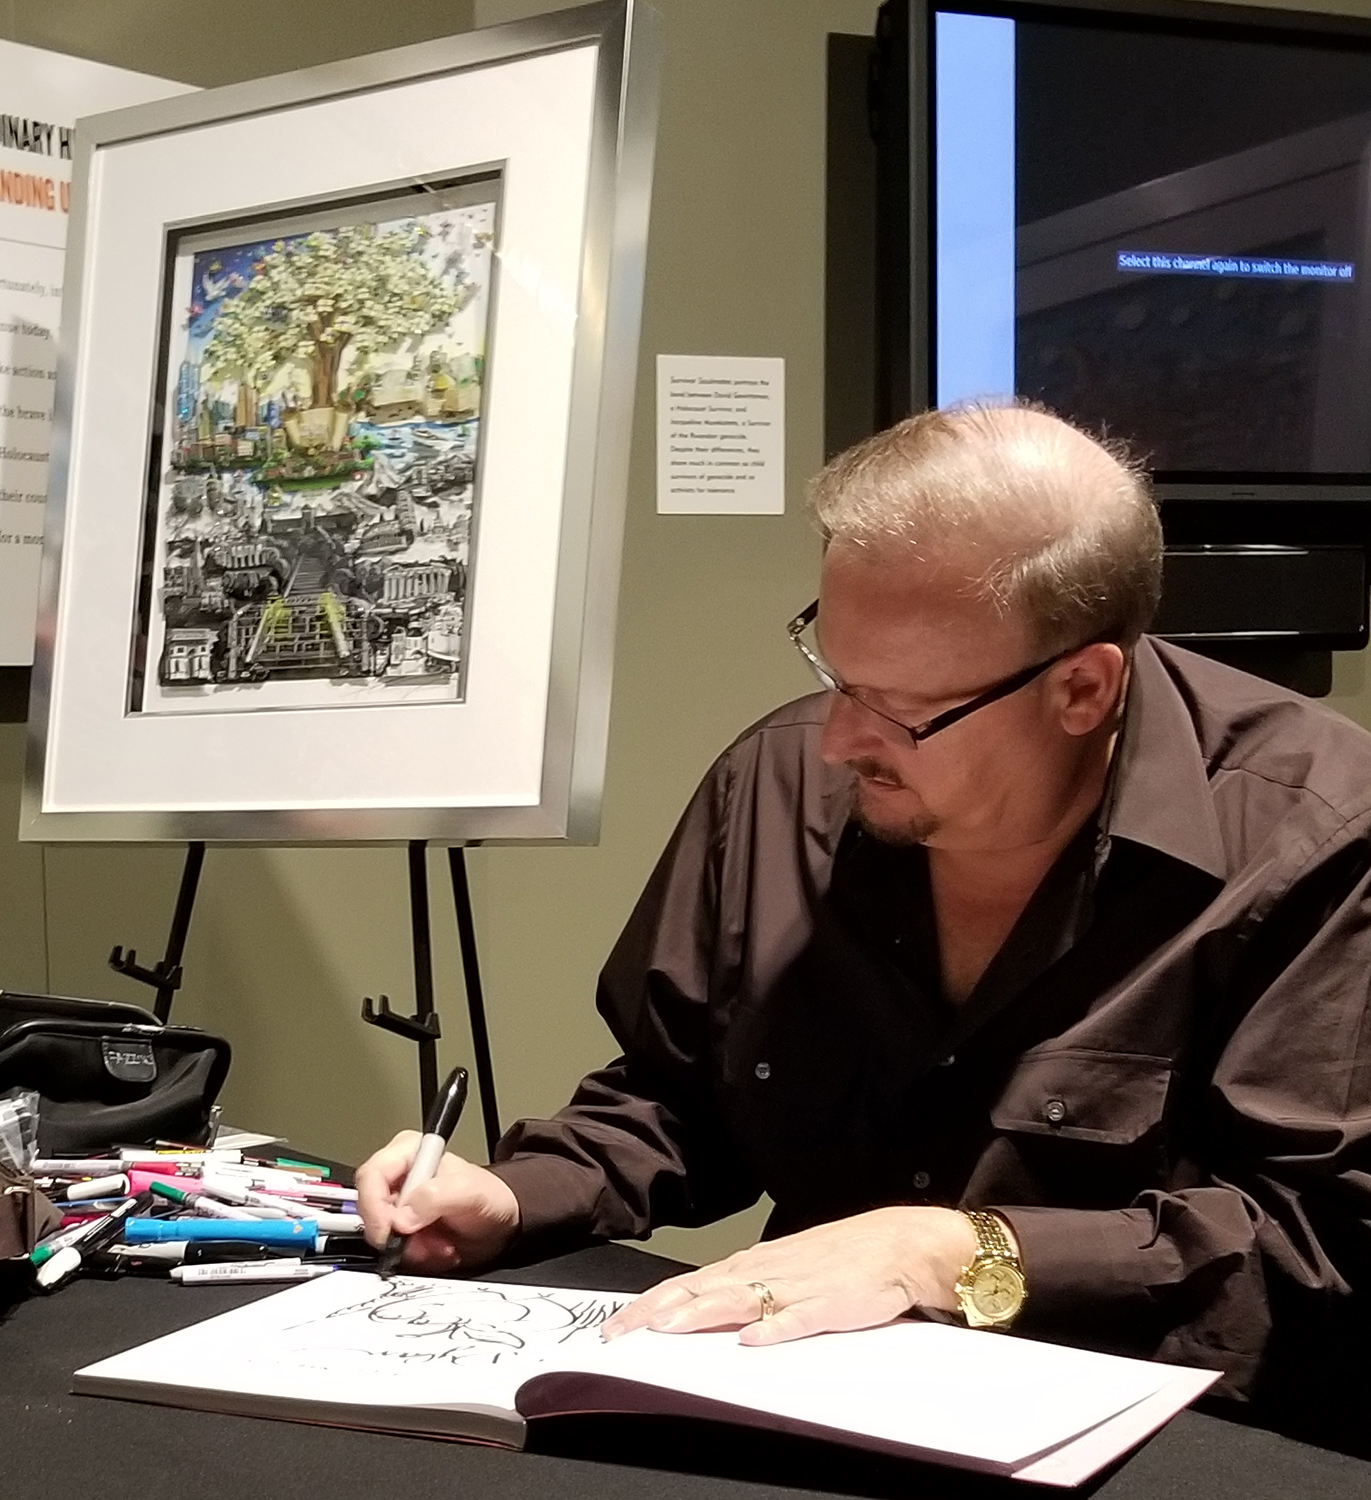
(1280, 1145)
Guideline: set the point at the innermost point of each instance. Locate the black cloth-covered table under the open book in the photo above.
(55, 1445)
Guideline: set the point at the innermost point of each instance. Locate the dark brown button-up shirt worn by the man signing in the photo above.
(1163, 1081)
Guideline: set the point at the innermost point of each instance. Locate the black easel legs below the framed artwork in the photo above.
(422, 1028)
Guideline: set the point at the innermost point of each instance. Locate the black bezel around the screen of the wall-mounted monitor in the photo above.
(1325, 508)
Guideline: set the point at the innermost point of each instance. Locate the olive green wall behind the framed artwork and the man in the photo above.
(286, 943)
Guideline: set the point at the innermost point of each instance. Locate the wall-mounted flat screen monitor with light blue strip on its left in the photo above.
(1156, 221)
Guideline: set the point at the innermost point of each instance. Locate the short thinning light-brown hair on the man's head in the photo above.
(1052, 526)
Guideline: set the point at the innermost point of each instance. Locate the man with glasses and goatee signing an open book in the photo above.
(1030, 916)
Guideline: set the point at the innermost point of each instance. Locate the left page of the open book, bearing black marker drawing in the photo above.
(358, 1339)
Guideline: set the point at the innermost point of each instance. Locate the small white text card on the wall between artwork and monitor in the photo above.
(721, 436)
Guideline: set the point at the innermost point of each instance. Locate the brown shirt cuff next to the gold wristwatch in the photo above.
(1075, 1259)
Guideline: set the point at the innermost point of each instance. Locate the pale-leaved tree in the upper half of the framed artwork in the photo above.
(322, 296)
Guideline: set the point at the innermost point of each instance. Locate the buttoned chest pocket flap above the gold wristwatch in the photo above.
(1076, 1094)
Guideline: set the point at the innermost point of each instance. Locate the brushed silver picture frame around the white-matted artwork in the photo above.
(596, 463)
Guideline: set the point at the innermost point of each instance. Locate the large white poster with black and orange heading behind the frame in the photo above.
(41, 98)
